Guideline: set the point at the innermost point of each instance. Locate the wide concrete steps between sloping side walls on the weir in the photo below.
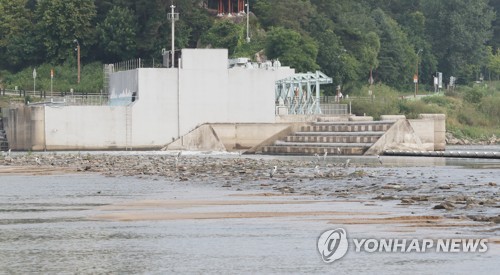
(335, 138)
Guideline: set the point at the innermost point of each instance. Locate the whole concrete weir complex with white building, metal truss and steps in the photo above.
(211, 103)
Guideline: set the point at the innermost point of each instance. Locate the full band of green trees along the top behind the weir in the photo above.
(348, 40)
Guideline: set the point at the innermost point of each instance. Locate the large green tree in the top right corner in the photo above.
(458, 31)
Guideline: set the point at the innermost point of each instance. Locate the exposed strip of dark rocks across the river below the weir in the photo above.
(455, 192)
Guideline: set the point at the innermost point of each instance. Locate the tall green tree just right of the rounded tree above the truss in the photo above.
(354, 50)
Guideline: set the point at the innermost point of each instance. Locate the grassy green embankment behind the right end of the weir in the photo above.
(471, 111)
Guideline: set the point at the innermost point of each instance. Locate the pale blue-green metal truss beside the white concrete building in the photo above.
(300, 93)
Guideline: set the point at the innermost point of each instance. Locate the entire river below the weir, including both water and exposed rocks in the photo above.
(72, 221)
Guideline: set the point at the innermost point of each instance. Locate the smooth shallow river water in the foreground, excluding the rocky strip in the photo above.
(88, 223)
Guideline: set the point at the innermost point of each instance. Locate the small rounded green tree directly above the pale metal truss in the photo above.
(292, 49)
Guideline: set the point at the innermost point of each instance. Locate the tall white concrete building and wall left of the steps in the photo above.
(151, 107)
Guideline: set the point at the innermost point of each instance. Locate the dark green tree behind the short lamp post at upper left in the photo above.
(60, 22)
